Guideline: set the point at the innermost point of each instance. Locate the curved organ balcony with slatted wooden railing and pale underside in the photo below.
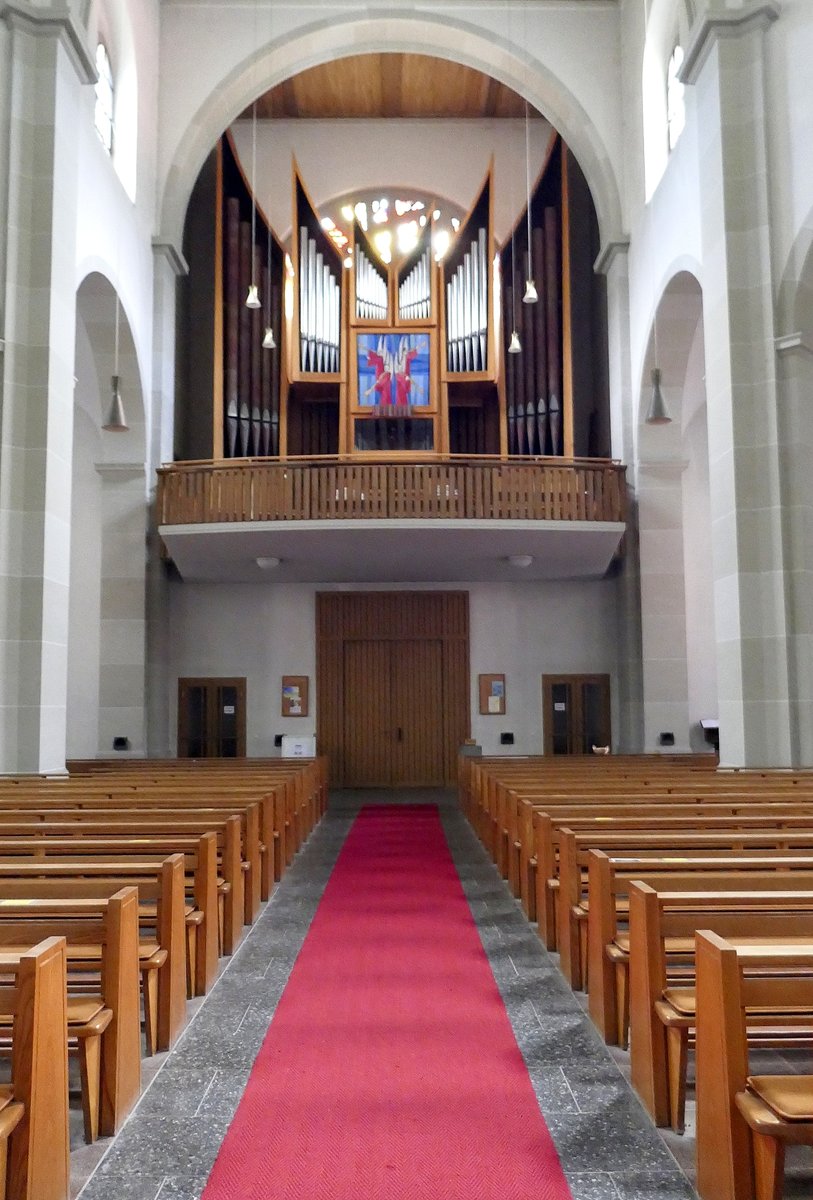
(455, 520)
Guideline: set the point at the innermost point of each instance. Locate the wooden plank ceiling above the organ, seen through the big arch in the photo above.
(390, 86)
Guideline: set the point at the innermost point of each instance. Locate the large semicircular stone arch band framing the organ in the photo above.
(439, 38)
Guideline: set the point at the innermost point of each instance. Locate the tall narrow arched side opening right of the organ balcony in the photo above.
(677, 573)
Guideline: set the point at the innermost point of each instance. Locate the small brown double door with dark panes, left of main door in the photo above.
(212, 718)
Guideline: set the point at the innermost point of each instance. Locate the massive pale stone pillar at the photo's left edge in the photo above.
(47, 64)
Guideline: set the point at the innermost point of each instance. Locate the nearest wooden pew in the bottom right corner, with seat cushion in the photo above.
(740, 1137)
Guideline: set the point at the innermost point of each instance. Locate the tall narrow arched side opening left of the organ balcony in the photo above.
(106, 614)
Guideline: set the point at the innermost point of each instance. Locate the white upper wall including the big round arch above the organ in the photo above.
(563, 58)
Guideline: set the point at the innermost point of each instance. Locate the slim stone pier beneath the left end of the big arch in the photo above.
(168, 266)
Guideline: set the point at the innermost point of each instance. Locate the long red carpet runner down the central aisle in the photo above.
(390, 1071)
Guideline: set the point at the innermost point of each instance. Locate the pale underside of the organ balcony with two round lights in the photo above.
(393, 551)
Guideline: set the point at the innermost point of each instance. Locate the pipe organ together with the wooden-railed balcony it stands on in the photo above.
(392, 418)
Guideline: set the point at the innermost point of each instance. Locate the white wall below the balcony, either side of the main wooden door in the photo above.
(264, 632)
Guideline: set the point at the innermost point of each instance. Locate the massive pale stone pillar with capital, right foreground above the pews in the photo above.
(726, 62)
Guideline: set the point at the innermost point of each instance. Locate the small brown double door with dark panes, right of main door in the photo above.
(576, 713)
